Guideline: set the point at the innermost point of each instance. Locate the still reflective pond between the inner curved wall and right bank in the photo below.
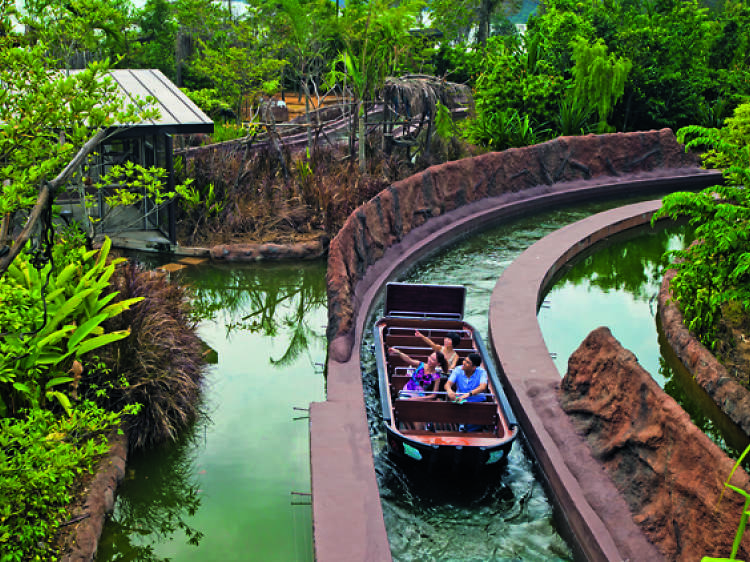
(616, 284)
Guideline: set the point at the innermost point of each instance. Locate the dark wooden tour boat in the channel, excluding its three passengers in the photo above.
(442, 444)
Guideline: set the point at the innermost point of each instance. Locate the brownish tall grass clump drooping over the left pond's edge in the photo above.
(160, 365)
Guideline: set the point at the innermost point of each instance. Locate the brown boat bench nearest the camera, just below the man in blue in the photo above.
(437, 411)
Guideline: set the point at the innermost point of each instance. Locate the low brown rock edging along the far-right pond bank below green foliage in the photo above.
(724, 390)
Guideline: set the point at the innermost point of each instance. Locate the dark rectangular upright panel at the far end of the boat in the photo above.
(433, 301)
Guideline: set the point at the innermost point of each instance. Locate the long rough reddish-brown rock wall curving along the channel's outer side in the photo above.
(405, 205)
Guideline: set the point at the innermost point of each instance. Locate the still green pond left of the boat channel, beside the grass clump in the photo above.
(235, 484)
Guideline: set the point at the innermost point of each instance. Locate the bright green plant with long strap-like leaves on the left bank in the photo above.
(36, 364)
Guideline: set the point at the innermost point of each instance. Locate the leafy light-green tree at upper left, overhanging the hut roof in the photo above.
(50, 121)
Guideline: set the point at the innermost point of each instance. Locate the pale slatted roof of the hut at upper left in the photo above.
(179, 114)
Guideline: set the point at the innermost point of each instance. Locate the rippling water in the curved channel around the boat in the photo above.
(511, 519)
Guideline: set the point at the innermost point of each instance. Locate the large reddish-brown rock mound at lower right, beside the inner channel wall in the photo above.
(669, 472)
